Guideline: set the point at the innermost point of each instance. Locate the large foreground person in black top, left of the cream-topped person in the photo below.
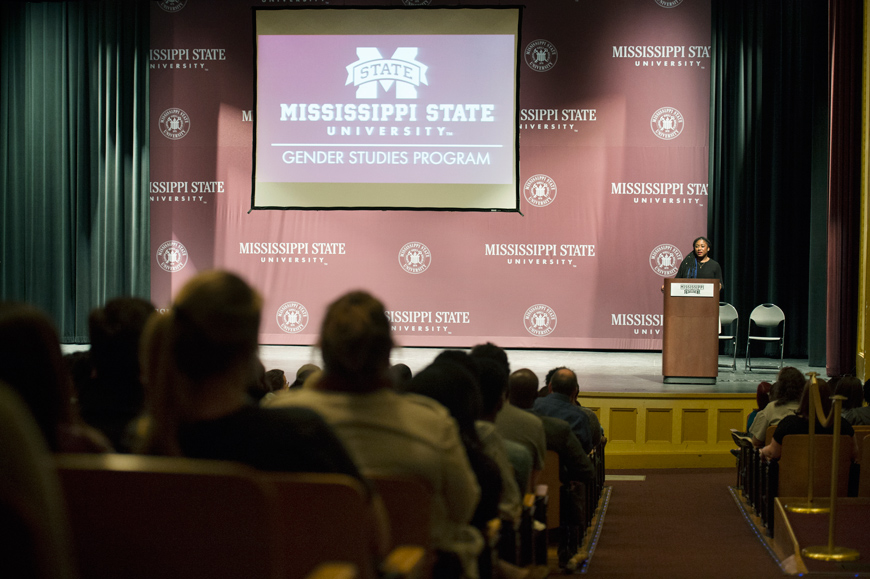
(198, 360)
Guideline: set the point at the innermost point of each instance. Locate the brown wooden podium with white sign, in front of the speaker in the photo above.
(690, 342)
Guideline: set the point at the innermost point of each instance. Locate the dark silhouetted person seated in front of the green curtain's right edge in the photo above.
(113, 398)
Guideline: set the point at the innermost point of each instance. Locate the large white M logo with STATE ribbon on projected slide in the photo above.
(372, 70)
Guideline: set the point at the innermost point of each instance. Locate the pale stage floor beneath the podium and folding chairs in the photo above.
(596, 371)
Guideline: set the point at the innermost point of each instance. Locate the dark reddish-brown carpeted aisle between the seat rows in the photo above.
(677, 523)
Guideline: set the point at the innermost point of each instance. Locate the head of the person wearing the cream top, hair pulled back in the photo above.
(355, 341)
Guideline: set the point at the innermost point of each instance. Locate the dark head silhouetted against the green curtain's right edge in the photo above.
(114, 331)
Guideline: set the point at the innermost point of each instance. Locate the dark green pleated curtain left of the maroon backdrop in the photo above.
(74, 214)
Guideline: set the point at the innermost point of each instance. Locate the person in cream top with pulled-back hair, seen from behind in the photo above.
(386, 431)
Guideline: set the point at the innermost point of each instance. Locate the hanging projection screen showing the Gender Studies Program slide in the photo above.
(407, 121)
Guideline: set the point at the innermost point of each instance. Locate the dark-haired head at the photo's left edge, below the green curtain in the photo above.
(31, 363)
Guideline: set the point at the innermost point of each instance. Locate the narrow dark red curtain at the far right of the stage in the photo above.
(845, 38)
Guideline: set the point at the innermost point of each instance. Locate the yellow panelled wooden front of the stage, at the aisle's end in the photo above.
(669, 430)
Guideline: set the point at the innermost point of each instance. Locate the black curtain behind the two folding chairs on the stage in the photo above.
(767, 215)
